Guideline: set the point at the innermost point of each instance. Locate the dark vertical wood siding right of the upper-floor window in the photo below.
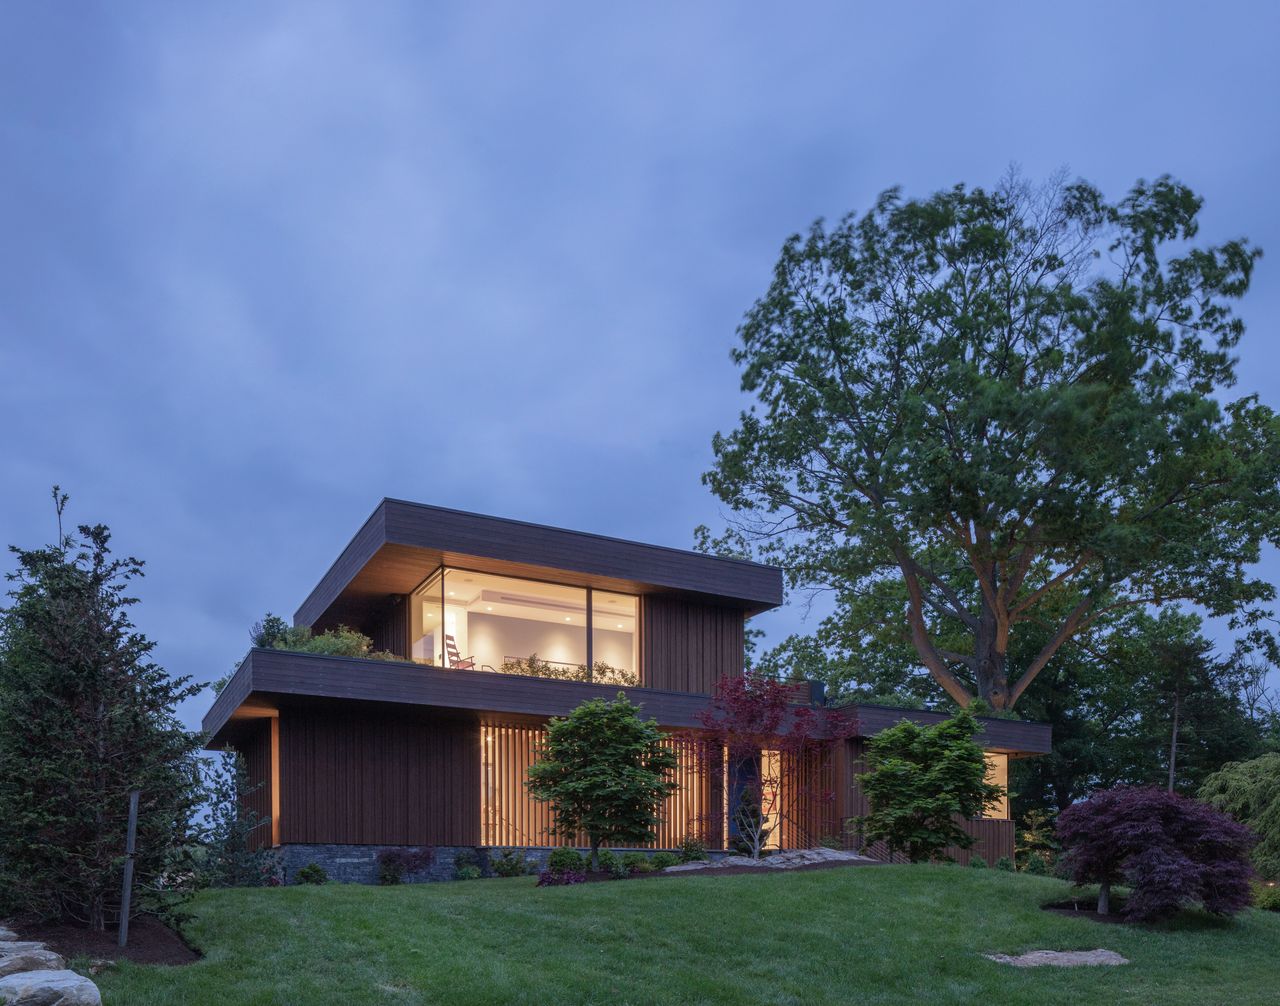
(687, 646)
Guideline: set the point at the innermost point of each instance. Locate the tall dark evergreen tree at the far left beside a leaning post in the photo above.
(86, 717)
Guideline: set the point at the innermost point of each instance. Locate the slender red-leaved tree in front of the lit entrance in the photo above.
(774, 749)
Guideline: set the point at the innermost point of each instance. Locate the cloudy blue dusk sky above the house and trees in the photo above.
(266, 264)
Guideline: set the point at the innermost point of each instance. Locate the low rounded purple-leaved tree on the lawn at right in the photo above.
(1169, 849)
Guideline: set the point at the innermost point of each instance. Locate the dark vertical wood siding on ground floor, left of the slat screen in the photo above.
(378, 779)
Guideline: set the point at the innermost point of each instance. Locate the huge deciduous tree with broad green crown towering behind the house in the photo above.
(981, 405)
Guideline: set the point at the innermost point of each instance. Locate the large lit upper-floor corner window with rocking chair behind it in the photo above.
(476, 621)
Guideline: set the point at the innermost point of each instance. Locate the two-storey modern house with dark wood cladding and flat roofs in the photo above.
(500, 625)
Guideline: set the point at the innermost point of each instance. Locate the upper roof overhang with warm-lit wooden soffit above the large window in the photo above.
(403, 543)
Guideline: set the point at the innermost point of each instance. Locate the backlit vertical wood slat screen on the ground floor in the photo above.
(511, 817)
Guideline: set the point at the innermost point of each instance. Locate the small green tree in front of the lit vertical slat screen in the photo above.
(605, 771)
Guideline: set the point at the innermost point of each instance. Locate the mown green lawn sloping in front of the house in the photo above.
(877, 935)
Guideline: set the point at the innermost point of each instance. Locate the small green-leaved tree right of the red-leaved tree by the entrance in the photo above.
(921, 781)
